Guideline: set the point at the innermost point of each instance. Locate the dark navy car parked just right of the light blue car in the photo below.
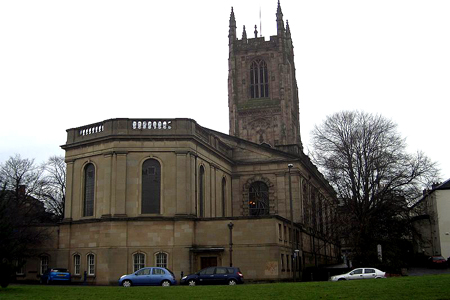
(214, 275)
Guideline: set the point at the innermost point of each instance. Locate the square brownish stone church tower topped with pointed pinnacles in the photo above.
(262, 88)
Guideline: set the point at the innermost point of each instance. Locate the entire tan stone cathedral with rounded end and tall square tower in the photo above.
(171, 193)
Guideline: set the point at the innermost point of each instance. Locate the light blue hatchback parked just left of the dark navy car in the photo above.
(149, 276)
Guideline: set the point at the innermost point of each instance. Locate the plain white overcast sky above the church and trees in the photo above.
(65, 64)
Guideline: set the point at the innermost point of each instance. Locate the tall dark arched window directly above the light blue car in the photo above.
(151, 186)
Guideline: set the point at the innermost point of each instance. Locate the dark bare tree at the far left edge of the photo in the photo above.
(21, 214)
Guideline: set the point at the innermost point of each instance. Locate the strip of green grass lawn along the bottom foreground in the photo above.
(424, 287)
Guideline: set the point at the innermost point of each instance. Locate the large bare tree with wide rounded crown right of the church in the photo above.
(364, 158)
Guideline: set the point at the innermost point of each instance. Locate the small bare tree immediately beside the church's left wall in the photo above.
(53, 189)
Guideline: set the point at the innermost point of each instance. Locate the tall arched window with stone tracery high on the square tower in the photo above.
(259, 79)
